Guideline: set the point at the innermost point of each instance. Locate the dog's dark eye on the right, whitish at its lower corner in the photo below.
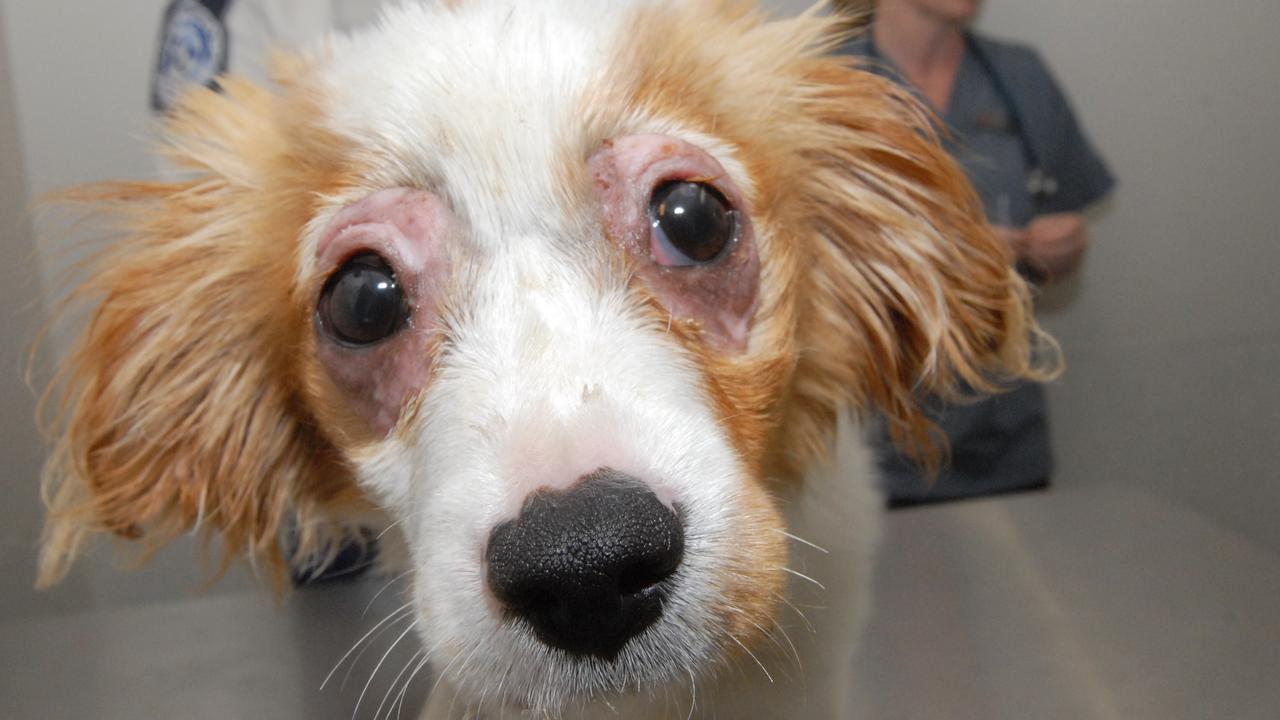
(693, 224)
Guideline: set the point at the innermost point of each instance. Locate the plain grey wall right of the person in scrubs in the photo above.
(1173, 331)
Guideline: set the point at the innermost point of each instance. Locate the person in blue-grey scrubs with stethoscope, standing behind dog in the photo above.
(1012, 129)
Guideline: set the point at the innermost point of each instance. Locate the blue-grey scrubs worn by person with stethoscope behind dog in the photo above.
(999, 444)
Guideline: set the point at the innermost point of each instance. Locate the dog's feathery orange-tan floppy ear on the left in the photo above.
(176, 409)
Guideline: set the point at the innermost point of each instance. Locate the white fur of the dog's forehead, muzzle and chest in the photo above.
(551, 373)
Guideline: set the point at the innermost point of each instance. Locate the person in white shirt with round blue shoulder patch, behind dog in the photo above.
(200, 40)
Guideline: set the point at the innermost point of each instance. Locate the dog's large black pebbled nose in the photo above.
(587, 567)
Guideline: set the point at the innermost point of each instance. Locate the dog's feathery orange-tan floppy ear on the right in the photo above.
(908, 293)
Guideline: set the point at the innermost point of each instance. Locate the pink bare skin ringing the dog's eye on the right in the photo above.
(720, 297)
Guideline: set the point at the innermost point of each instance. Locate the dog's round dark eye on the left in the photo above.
(363, 303)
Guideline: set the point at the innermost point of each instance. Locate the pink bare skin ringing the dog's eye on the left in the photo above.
(410, 230)
